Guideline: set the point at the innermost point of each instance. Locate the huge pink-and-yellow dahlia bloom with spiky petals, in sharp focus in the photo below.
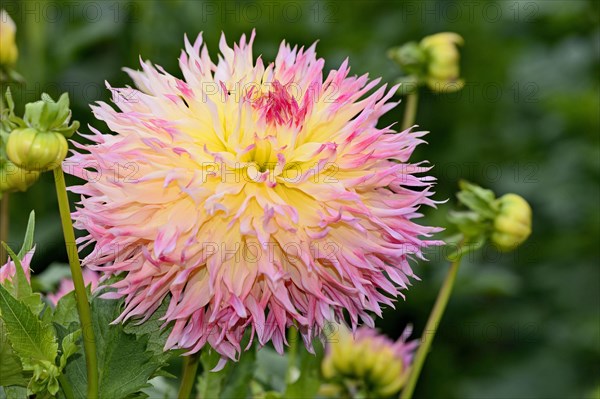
(254, 196)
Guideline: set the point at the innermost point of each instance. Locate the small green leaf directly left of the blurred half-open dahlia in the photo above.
(307, 385)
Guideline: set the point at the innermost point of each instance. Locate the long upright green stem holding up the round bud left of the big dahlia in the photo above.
(83, 306)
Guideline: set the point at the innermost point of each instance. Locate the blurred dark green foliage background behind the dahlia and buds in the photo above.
(519, 325)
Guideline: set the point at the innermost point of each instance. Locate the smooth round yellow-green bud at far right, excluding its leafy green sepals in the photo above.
(512, 225)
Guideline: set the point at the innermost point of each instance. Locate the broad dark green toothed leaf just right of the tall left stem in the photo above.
(125, 364)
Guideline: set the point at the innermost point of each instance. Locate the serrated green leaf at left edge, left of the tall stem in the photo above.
(30, 339)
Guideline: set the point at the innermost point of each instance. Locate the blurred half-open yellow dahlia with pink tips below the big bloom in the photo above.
(368, 361)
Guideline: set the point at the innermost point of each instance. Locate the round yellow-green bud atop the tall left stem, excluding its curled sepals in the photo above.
(33, 150)
